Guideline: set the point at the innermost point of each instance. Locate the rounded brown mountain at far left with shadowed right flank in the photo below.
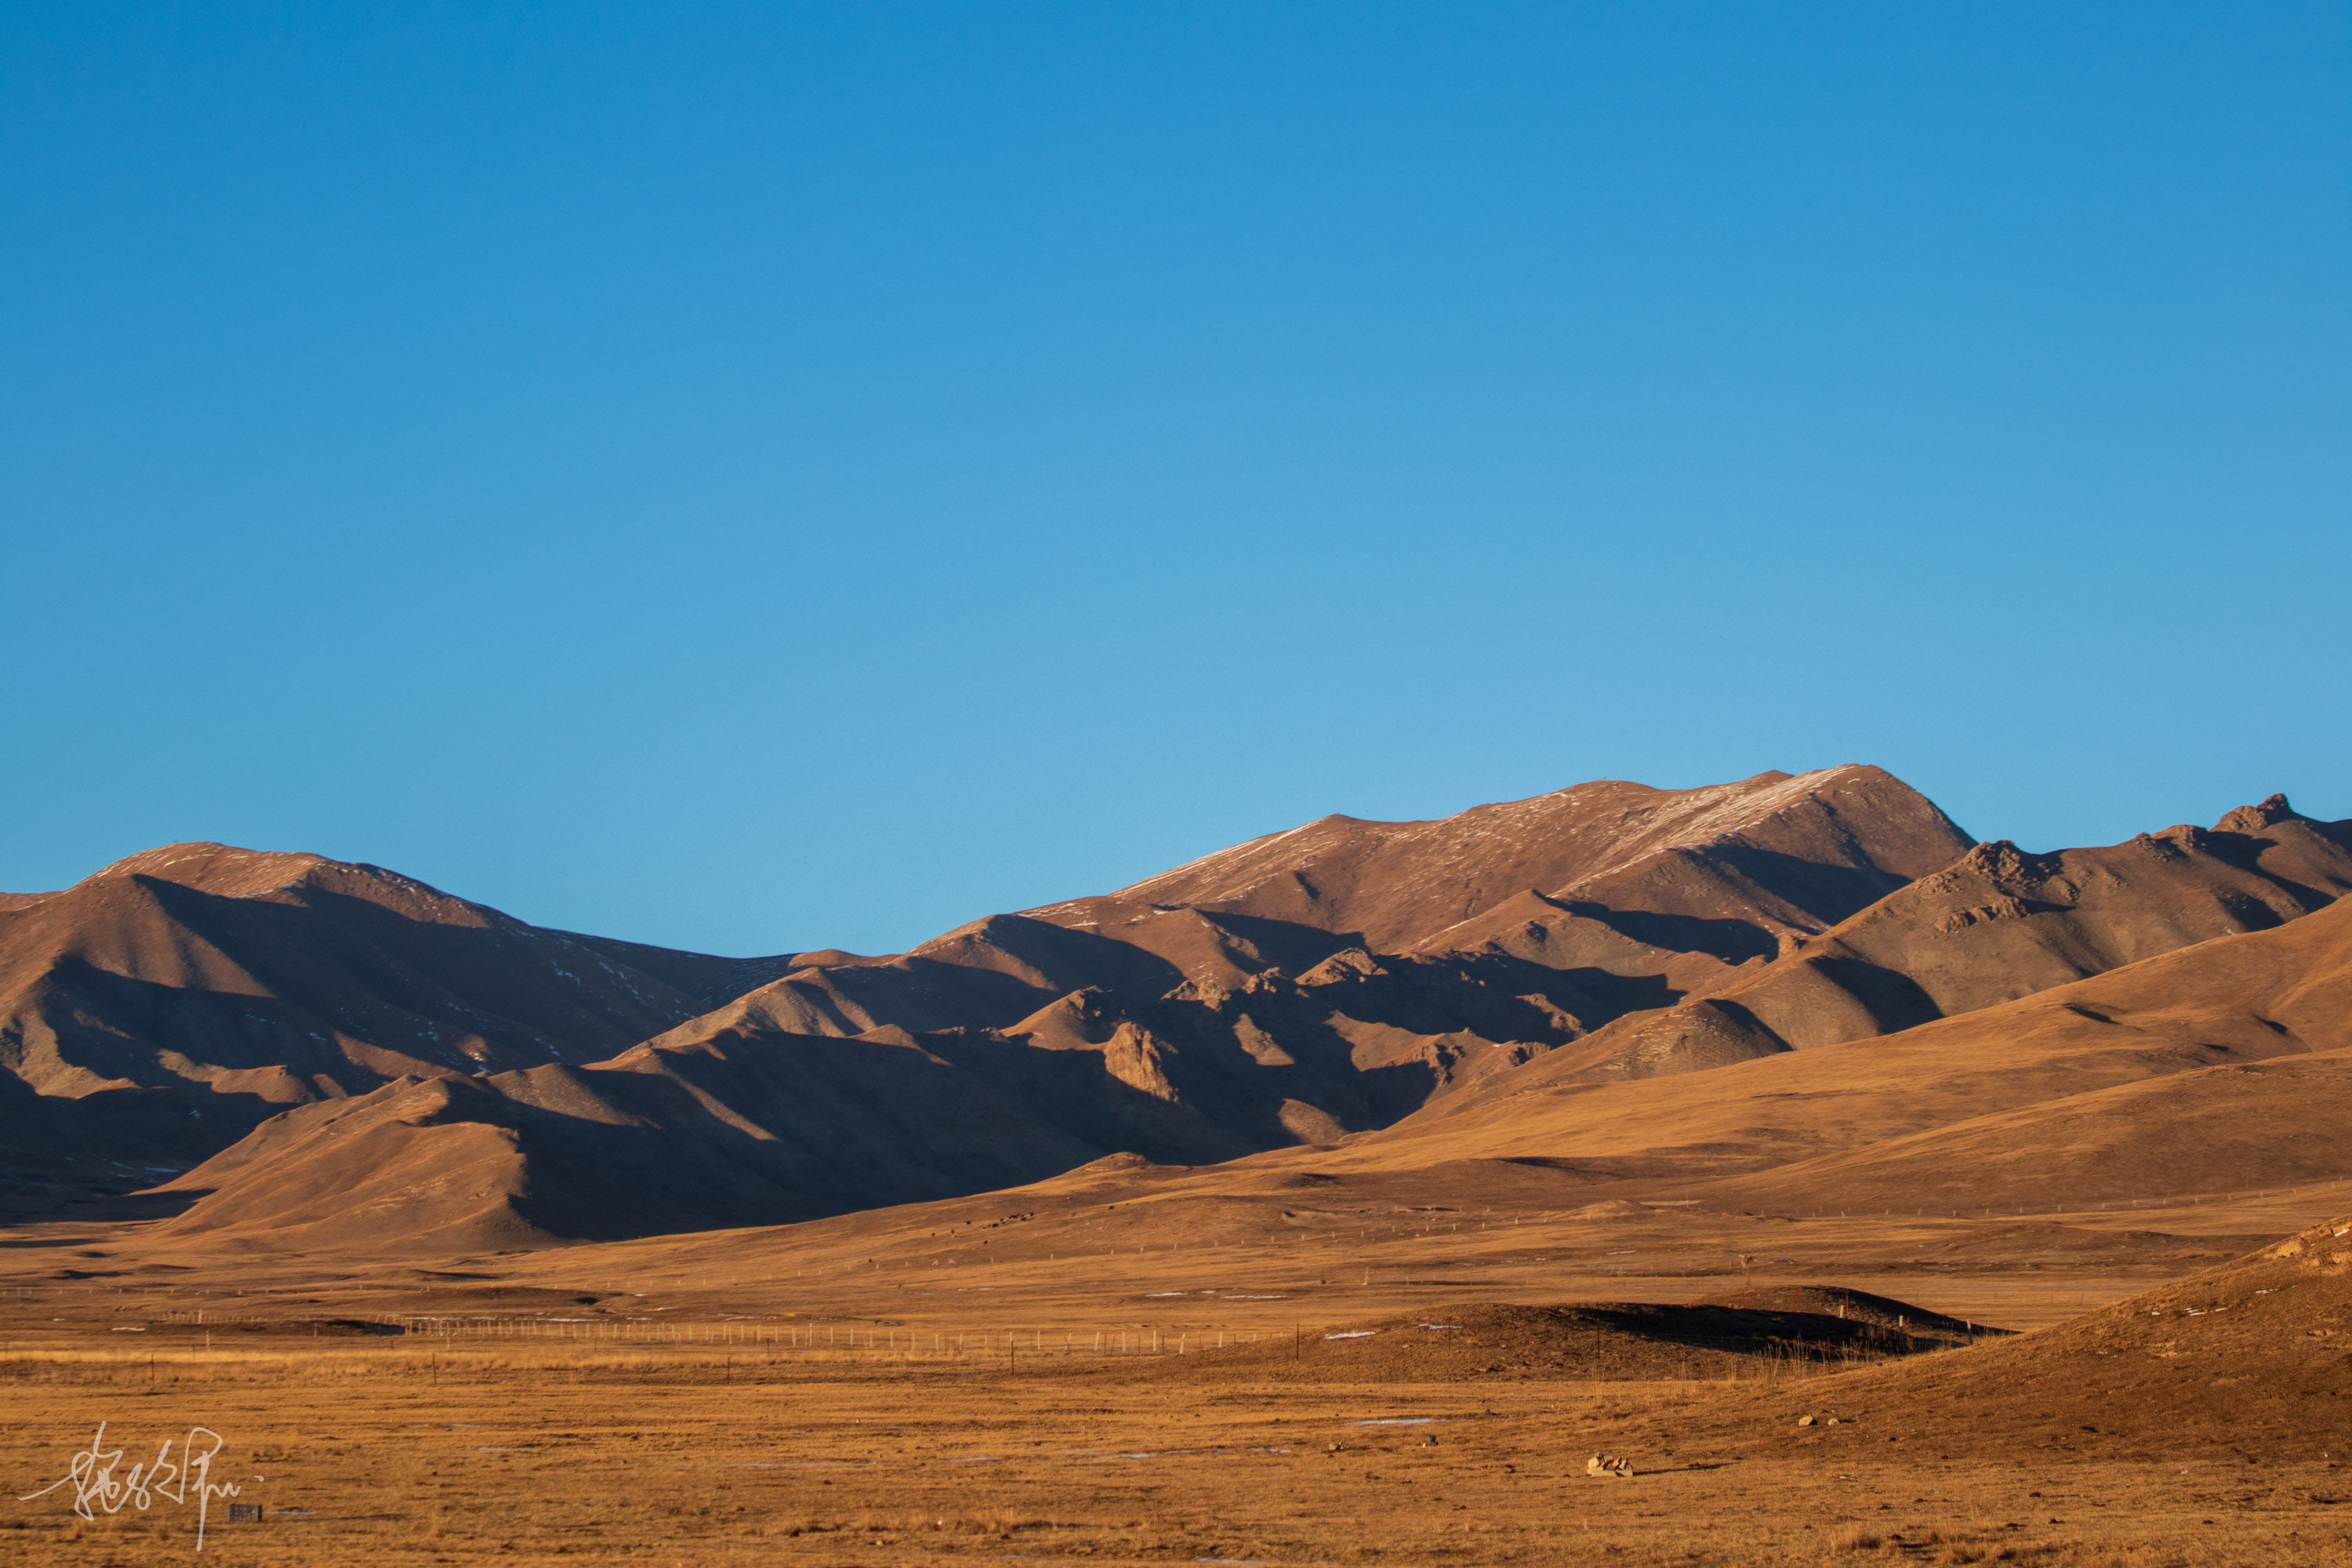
(173, 1000)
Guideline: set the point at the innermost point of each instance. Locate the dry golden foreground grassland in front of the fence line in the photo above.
(382, 1452)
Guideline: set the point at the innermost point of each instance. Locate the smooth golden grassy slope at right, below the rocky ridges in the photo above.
(2210, 1068)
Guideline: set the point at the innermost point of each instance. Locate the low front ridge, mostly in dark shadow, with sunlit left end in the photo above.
(756, 1125)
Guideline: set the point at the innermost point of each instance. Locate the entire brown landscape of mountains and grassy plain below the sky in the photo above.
(1330, 1198)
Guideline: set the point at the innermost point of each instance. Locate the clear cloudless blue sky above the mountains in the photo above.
(777, 476)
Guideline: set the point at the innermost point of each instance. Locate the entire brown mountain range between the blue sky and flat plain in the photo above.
(293, 1052)
